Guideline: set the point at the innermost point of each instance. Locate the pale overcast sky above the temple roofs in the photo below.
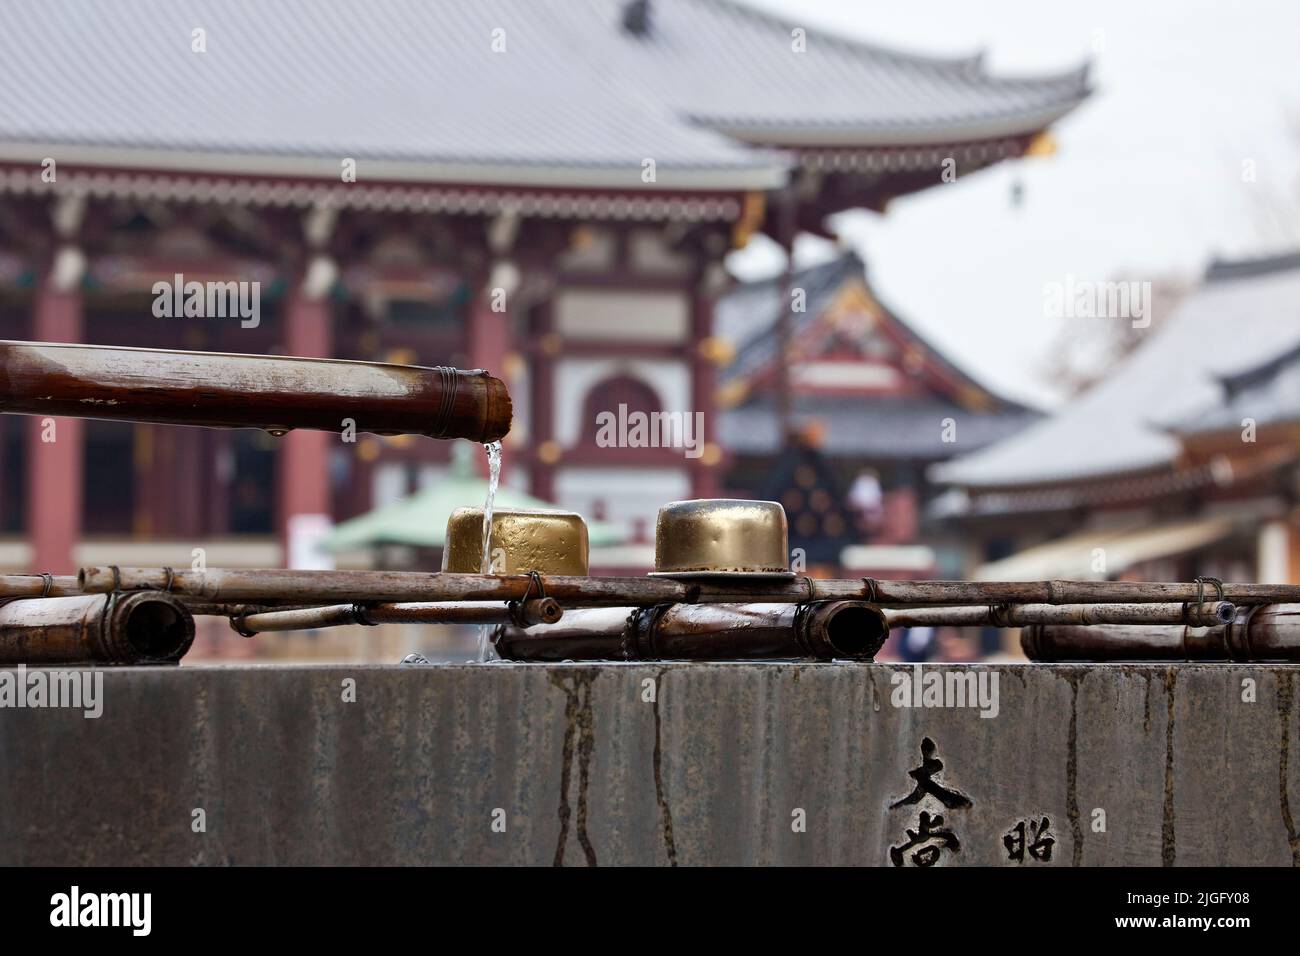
(1149, 180)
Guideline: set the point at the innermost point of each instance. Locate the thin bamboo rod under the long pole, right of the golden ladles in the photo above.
(1210, 615)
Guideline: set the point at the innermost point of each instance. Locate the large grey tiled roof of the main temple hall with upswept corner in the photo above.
(413, 90)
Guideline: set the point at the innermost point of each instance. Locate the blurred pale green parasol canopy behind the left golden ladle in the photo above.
(421, 520)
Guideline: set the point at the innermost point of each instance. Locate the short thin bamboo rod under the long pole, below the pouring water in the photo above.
(539, 611)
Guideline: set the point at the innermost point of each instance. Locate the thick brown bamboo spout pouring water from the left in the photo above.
(270, 392)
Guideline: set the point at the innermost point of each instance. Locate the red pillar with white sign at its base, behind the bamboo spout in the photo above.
(304, 469)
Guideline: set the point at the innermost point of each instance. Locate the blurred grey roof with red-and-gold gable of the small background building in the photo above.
(881, 422)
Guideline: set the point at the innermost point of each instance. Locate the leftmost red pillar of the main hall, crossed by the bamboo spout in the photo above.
(55, 466)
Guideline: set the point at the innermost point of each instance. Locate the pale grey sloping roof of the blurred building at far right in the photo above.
(1245, 315)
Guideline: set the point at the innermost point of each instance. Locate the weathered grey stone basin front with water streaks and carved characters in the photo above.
(586, 771)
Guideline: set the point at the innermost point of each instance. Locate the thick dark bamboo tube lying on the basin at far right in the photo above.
(1269, 633)
